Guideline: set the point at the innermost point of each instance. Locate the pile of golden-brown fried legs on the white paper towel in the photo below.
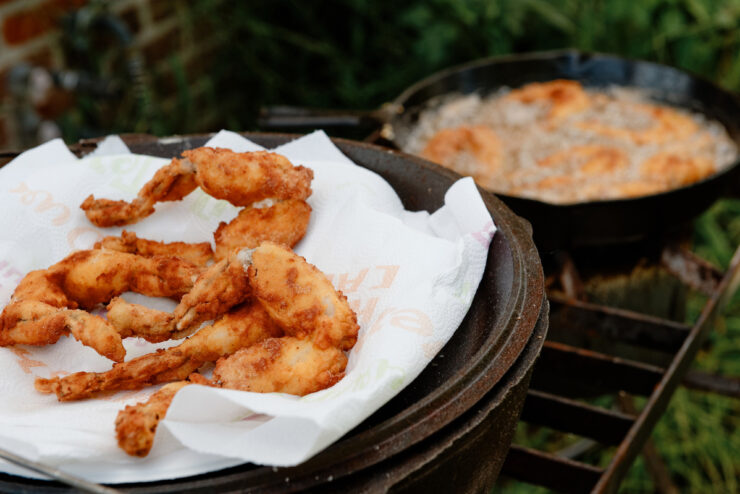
(276, 322)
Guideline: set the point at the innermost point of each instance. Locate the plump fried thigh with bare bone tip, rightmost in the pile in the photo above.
(300, 298)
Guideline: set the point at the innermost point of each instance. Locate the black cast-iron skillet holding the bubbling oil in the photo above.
(595, 223)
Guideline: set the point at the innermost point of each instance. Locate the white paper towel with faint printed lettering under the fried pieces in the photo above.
(410, 276)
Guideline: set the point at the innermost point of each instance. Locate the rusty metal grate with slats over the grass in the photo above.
(586, 355)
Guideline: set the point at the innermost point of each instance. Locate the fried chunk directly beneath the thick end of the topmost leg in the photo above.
(283, 223)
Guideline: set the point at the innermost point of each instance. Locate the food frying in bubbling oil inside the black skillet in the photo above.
(558, 142)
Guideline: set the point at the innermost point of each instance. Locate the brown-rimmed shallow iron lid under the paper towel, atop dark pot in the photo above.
(507, 307)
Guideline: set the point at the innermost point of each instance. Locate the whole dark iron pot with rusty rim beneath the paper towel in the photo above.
(490, 355)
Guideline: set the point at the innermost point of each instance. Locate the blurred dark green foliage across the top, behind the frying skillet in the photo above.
(359, 54)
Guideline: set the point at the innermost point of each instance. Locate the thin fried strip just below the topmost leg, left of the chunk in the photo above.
(198, 254)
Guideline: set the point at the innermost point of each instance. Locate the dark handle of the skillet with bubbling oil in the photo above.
(280, 117)
